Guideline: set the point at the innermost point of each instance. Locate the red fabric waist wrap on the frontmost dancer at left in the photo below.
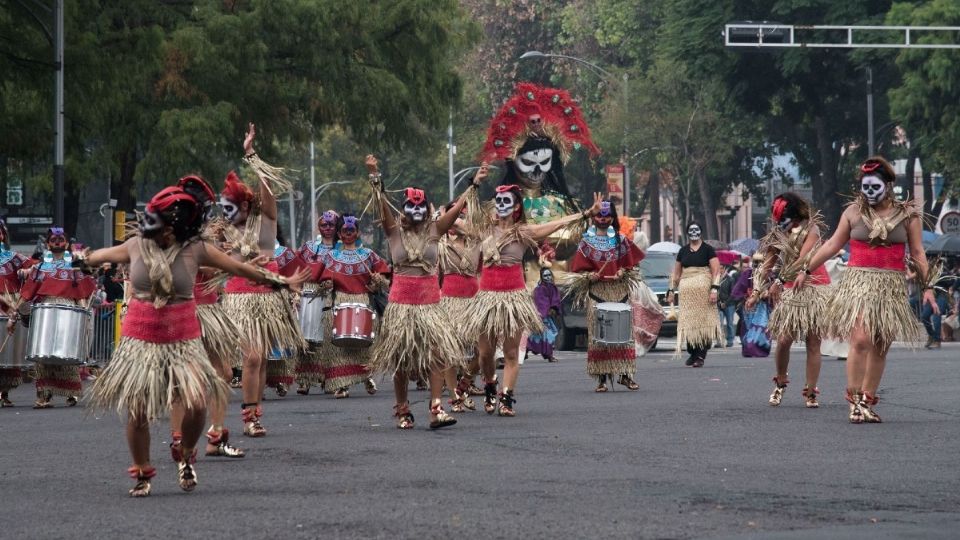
(169, 324)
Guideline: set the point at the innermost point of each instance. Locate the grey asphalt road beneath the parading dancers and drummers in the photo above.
(696, 453)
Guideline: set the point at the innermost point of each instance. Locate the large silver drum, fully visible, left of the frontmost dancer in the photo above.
(59, 335)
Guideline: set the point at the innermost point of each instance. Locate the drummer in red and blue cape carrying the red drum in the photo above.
(352, 272)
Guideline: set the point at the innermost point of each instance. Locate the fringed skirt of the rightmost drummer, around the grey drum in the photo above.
(607, 358)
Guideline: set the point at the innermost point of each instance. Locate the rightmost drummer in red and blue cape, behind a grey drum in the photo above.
(605, 260)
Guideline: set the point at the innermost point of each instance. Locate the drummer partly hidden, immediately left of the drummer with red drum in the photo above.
(309, 370)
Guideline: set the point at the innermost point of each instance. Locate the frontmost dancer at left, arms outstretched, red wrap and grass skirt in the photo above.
(160, 363)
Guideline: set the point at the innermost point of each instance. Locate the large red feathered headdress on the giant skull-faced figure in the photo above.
(560, 120)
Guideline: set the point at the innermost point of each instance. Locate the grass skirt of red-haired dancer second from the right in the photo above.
(801, 313)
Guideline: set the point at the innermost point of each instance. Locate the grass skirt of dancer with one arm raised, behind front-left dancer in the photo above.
(266, 320)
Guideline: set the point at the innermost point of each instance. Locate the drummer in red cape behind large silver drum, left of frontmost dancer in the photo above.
(55, 282)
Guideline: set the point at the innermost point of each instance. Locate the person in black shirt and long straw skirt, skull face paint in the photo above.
(698, 274)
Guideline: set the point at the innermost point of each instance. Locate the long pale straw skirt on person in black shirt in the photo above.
(698, 324)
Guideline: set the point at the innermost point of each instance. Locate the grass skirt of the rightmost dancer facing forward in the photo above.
(880, 298)
